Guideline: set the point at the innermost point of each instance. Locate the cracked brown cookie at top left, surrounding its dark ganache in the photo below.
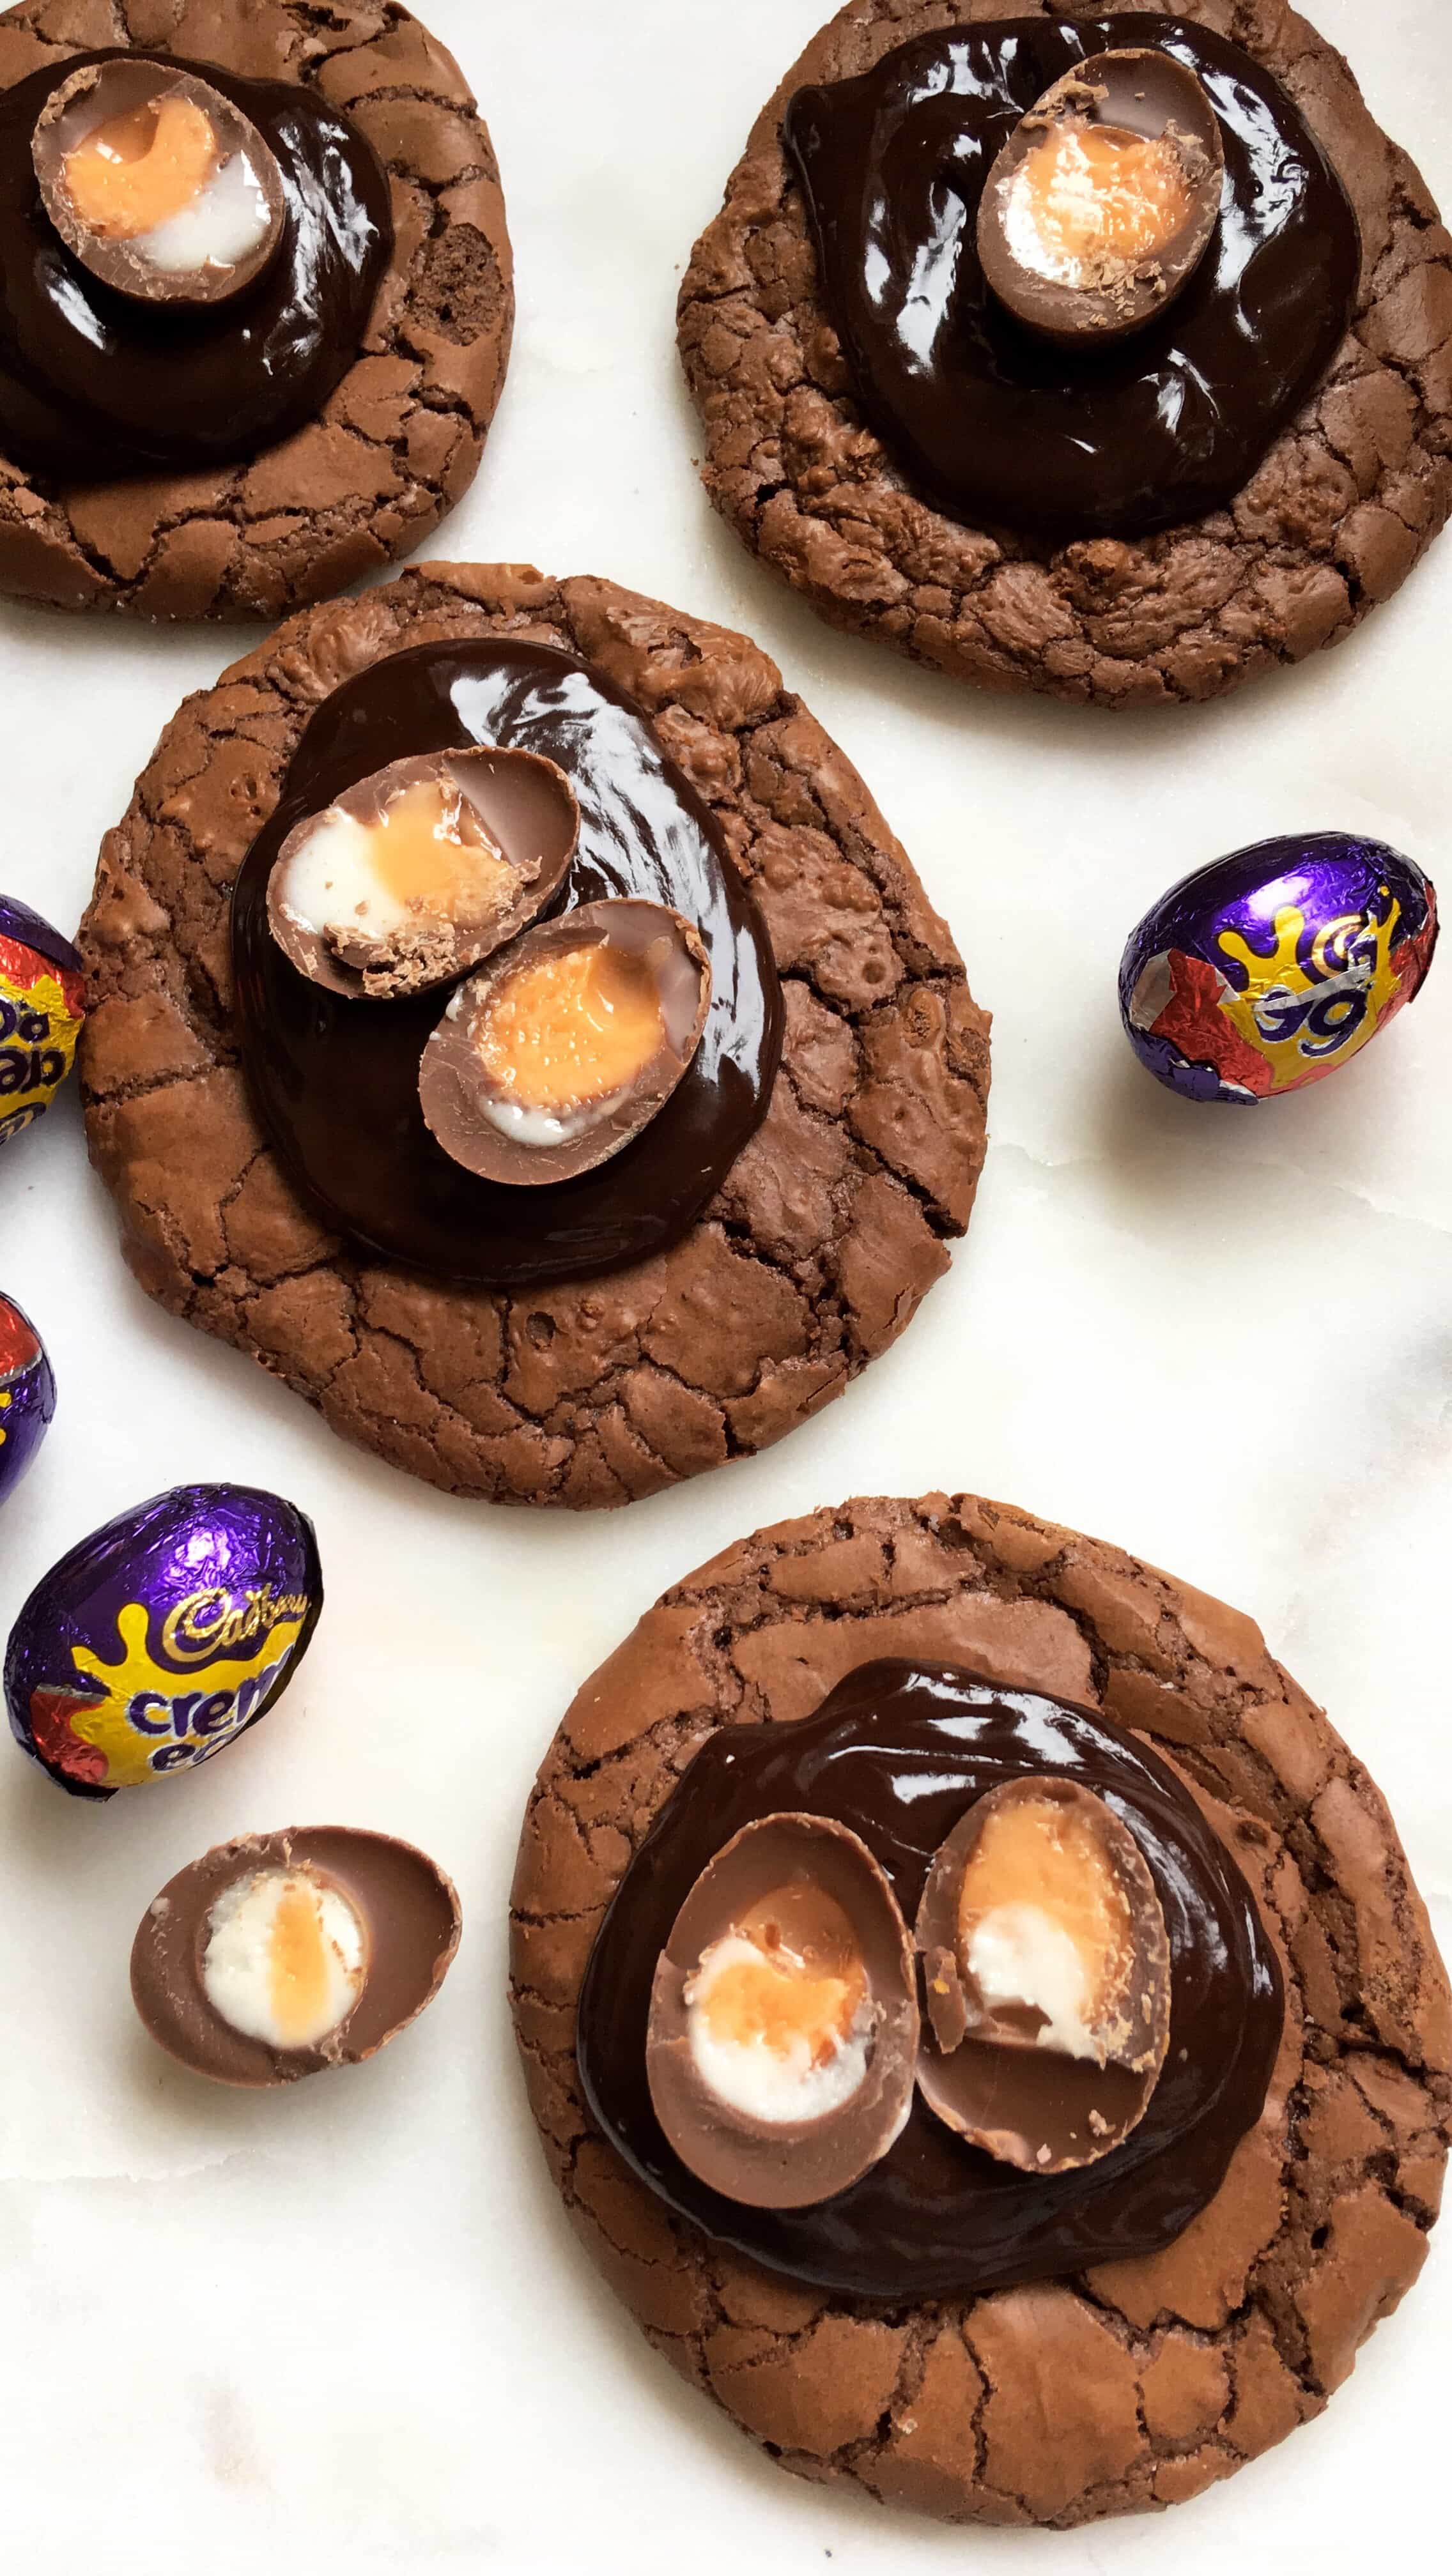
(401, 434)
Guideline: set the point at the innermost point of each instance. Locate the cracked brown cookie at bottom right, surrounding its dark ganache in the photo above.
(1110, 2384)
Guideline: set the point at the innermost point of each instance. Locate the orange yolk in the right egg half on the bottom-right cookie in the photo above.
(1043, 1856)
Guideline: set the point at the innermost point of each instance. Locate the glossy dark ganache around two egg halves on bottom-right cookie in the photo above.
(899, 1753)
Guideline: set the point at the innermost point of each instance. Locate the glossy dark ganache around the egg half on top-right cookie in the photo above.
(999, 424)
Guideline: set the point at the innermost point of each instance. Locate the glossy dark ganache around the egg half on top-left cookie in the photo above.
(97, 383)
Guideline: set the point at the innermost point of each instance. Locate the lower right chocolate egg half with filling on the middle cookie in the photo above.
(566, 1045)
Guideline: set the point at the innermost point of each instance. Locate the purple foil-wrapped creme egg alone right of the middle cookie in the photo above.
(1275, 965)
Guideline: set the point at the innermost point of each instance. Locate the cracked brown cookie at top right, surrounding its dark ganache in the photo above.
(1329, 522)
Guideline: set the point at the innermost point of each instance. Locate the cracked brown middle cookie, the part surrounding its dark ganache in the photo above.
(824, 1233)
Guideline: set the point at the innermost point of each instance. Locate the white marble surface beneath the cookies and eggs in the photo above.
(347, 2330)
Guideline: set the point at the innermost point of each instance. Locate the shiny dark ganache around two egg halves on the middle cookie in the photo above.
(337, 1083)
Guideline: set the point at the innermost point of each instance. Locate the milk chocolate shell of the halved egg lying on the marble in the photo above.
(406, 1913)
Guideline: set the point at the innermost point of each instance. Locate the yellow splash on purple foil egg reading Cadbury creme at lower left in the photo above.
(148, 1725)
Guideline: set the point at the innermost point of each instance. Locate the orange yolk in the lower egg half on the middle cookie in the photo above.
(571, 1029)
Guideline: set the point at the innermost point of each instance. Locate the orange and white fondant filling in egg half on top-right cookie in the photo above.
(1103, 200)
